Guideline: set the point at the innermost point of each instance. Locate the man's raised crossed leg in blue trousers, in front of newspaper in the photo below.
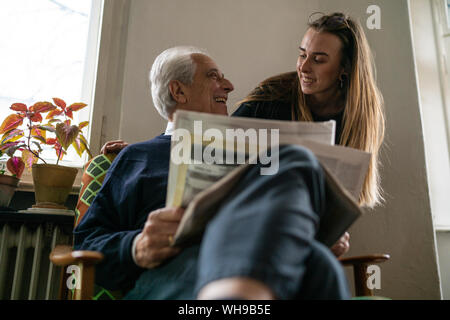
(265, 228)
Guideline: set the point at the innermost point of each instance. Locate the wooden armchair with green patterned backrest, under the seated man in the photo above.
(65, 256)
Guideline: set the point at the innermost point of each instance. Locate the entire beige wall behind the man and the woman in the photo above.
(253, 39)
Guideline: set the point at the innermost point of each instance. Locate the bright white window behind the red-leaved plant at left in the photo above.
(49, 49)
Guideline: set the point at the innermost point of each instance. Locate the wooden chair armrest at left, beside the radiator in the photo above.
(63, 255)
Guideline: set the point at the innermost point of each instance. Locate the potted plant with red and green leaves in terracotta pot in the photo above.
(52, 182)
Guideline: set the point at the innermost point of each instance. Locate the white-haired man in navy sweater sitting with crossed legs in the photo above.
(260, 244)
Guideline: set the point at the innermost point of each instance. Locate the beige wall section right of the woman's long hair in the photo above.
(404, 226)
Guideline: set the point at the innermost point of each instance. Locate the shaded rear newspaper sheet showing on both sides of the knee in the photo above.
(342, 192)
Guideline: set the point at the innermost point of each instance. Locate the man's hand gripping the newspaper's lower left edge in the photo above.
(153, 244)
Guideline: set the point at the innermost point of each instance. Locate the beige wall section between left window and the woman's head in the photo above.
(247, 39)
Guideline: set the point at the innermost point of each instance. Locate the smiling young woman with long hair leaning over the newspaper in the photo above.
(334, 80)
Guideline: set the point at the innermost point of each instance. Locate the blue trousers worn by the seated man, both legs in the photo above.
(265, 229)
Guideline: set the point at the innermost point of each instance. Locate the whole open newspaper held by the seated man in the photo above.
(200, 186)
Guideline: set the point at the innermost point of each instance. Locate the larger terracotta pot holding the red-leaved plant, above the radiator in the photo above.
(52, 185)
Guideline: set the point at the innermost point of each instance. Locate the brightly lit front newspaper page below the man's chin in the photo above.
(206, 147)
